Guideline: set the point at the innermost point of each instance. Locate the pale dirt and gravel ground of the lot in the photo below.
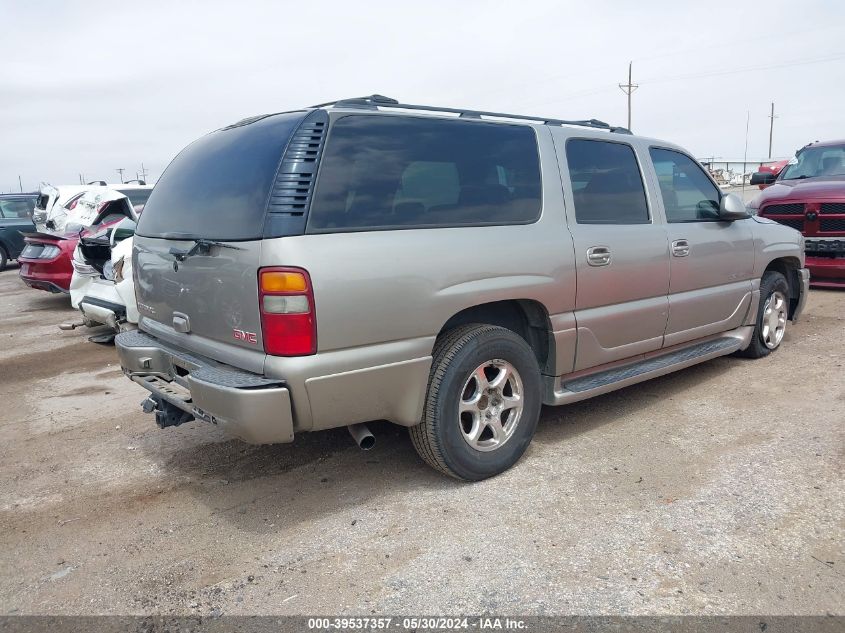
(716, 490)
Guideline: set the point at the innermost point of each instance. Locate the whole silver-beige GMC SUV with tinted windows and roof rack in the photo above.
(447, 270)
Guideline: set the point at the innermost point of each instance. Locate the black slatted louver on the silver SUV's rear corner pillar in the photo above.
(294, 184)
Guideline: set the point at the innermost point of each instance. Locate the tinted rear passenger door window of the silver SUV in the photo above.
(606, 183)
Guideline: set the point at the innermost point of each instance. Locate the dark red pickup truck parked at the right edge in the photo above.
(809, 195)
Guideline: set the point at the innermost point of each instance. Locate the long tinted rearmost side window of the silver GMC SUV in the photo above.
(390, 172)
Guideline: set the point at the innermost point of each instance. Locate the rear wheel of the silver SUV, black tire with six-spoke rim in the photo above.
(482, 405)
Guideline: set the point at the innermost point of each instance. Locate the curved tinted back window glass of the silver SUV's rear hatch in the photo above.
(218, 187)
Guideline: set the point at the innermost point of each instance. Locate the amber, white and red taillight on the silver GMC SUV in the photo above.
(286, 301)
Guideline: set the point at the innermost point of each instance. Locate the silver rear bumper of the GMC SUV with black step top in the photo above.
(248, 406)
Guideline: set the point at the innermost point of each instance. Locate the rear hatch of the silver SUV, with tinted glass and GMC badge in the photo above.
(198, 242)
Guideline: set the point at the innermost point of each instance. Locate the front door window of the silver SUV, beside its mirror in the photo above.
(688, 194)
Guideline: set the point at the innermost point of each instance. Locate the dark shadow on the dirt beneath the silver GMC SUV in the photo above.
(271, 488)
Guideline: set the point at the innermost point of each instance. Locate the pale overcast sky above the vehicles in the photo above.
(89, 87)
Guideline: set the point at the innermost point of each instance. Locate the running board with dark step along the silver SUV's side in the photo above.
(583, 387)
